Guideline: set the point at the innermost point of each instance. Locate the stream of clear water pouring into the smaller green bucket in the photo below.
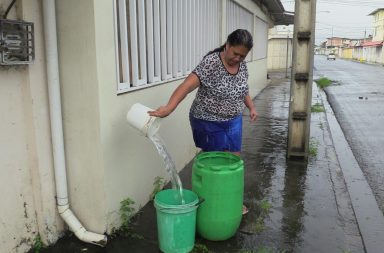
(169, 165)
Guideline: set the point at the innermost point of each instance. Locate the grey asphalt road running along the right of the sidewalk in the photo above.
(357, 98)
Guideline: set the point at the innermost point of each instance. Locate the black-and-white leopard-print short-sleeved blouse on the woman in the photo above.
(220, 96)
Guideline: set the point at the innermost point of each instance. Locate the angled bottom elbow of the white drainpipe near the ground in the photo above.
(78, 229)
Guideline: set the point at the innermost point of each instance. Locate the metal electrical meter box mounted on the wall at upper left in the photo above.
(17, 44)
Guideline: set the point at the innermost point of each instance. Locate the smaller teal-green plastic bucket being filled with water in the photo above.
(176, 222)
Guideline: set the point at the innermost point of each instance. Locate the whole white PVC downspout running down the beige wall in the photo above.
(57, 129)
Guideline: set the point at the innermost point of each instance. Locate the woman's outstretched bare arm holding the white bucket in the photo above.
(188, 85)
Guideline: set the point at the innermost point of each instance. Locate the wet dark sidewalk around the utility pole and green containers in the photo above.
(294, 206)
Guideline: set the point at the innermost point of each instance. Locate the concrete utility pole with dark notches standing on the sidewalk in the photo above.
(301, 79)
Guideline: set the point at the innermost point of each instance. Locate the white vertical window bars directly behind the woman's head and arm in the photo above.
(161, 40)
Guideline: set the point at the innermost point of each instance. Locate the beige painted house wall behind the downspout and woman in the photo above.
(107, 160)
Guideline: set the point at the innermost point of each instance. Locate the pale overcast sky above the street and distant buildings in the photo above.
(342, 18)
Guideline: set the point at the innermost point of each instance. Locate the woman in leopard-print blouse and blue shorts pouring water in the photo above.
(222, 82)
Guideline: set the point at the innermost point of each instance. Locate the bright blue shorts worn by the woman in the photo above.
(217, 135)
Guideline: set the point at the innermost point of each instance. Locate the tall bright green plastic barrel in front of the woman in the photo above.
(218, 177)
